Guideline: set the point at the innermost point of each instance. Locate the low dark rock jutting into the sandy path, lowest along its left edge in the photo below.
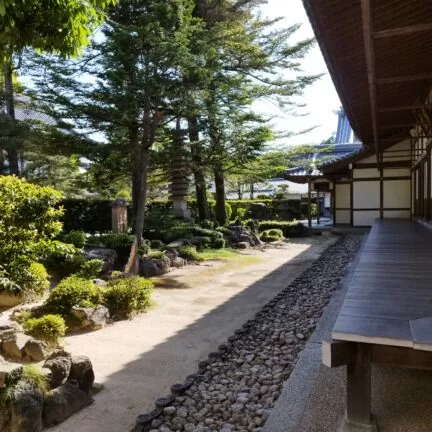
(62, 402)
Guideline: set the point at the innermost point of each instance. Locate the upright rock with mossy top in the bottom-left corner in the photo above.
(26, 408)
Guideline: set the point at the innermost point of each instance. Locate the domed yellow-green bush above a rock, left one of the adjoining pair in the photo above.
(72, 291)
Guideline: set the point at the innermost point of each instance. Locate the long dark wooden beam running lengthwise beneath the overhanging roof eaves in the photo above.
(370, 65)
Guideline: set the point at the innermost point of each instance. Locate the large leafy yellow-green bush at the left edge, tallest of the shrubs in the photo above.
(29, 222)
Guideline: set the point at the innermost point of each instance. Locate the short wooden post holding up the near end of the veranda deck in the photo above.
(359, 387)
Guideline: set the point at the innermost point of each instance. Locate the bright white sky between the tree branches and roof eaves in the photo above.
(321, 98)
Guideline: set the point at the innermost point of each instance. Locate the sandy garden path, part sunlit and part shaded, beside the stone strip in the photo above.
(198, 309)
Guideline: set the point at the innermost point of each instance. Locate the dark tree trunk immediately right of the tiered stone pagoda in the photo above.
(197, 169)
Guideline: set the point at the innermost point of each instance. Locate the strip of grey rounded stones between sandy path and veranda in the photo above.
(236, 388)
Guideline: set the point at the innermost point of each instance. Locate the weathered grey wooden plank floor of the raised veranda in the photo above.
(389, 301)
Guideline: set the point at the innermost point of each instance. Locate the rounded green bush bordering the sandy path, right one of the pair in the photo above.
(126, 296)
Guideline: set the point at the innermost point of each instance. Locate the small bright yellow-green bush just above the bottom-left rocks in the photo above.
(49, 328)
